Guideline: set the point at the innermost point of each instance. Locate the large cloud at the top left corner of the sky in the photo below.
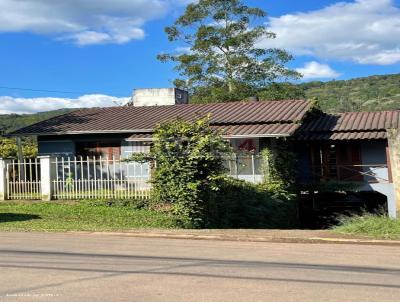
(84, 22)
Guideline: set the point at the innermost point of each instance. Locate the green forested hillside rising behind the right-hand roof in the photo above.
(361, 94)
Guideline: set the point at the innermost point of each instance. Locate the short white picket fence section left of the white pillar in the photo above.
(23, 179)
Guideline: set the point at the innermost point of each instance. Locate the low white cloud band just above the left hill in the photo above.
(30, 105)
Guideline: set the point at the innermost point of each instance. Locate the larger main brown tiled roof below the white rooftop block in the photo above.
(258, 118)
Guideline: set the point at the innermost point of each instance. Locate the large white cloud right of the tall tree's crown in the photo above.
(363, 31)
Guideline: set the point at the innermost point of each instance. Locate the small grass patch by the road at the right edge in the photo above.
(376, 226)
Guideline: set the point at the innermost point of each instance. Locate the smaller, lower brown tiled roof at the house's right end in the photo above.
(349, 126)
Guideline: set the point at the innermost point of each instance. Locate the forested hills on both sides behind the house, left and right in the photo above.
(361, 94)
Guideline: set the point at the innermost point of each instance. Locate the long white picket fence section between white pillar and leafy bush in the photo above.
(100, 178)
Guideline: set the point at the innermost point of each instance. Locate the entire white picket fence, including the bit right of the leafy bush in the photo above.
(72, 178)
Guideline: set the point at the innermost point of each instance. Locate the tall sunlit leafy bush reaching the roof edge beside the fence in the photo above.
(189, 163)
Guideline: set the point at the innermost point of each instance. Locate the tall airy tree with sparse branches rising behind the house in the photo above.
(223, 61)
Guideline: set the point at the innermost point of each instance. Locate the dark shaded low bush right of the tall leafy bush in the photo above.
(238, 204)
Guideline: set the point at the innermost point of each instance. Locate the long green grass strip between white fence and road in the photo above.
(78, 216)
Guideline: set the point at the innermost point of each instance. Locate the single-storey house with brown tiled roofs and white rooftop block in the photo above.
(347, 147)
